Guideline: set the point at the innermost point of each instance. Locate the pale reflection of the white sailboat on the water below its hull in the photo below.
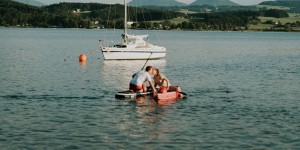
(118, 73)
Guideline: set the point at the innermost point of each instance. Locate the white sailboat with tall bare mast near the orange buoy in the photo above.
(132, 47)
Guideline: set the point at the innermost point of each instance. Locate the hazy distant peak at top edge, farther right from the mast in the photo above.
(214, 3)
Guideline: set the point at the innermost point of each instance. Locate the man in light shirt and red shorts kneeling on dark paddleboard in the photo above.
(138, 79)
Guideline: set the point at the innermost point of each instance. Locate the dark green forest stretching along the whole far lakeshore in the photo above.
(96, 15)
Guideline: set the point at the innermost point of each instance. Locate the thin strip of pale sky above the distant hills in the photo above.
(241, 2)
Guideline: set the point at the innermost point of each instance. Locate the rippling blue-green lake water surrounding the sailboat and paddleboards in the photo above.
(243, 92)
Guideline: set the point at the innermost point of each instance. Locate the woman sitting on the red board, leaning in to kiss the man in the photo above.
(163, 82)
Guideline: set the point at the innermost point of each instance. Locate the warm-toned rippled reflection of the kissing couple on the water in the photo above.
(145, 120)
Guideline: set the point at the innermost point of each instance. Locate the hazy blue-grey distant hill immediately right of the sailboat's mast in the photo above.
(155, 3)
